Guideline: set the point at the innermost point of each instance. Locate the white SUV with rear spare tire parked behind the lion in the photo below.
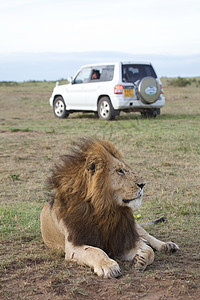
(108, 89)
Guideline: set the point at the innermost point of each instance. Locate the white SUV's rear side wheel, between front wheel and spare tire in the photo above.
(105, 109)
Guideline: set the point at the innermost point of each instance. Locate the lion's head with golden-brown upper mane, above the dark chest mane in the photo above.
(96, 173)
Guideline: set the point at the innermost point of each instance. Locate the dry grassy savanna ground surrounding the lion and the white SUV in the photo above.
(165, 151)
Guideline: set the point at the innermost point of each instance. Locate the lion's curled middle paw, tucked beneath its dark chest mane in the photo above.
(143, 258)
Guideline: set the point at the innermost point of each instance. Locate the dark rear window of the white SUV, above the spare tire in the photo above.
(134, 72)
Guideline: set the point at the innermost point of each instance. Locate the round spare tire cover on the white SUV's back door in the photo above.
(149, 90)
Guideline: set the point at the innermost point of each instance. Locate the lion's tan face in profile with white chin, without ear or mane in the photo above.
(127, 186)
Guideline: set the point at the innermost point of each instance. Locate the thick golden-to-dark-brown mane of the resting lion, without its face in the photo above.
(85, 203)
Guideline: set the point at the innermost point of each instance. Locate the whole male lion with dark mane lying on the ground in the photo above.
(90, 216)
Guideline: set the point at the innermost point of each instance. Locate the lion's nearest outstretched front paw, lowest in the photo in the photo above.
(108, 269)
